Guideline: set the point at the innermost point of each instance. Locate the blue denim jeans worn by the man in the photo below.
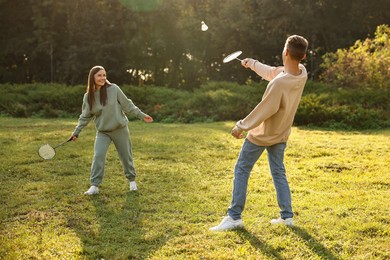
(249, 155)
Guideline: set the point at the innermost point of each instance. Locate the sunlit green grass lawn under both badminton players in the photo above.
(340, 185)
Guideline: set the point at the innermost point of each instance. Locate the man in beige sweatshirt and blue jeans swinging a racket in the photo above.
(269, 125)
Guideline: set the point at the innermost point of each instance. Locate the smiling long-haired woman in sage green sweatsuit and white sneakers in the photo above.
(107, 104)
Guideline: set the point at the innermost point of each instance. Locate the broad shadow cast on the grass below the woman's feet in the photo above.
(115, 229)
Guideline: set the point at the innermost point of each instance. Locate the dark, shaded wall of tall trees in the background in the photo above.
(159, 42)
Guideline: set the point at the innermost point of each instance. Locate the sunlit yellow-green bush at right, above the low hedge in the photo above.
(365, 64)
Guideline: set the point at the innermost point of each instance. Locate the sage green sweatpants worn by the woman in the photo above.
(121, 139)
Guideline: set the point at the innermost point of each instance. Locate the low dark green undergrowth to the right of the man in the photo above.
(329, 106)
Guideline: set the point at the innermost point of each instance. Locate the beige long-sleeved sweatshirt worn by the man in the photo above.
(270, 121)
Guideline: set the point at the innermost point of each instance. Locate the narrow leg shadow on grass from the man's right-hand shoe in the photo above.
(313, 244)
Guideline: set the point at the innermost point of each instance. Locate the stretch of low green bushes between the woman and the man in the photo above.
(214, 101)
